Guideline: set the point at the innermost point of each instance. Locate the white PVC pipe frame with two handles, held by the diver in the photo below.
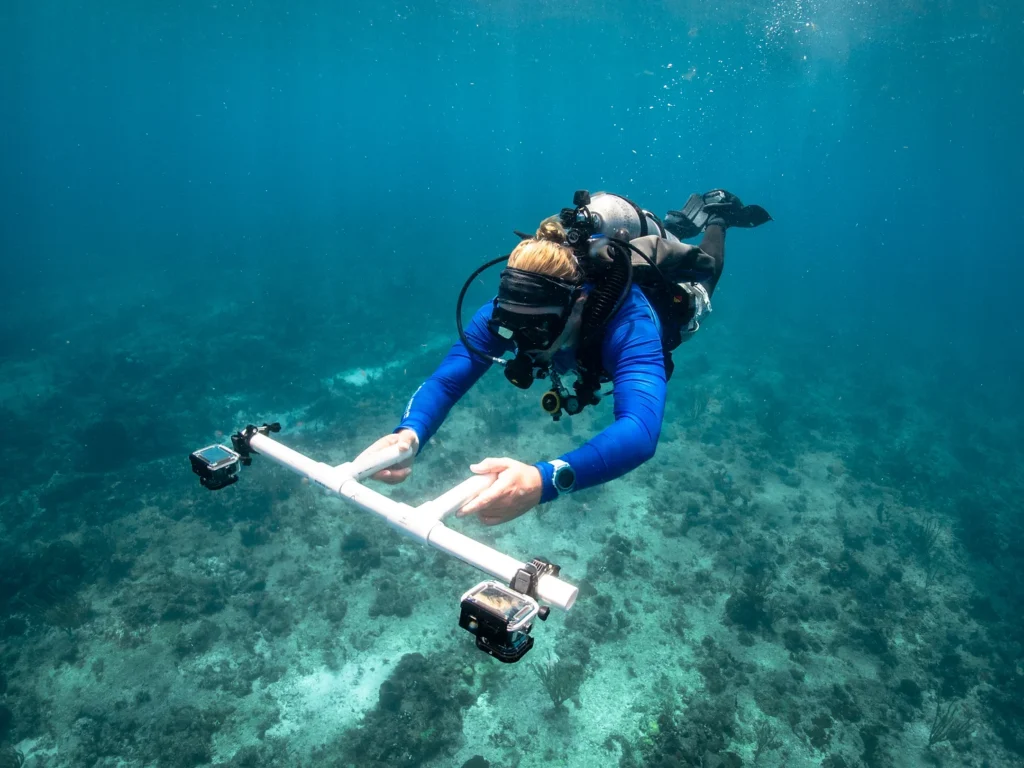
(423, 523)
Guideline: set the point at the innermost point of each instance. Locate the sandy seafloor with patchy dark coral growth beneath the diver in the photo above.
(800, 567)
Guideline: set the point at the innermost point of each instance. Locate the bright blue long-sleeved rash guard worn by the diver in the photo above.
(631, 354)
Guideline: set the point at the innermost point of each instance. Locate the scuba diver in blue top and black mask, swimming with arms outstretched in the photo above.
(605, 290)
